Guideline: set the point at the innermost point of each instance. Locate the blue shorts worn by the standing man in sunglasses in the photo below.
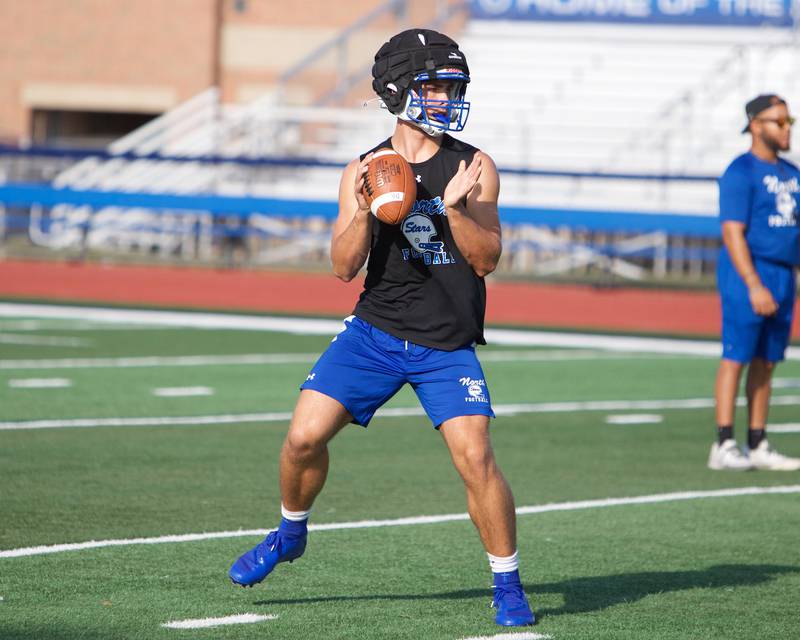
(745, 334)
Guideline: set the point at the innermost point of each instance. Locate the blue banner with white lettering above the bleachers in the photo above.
(743, 13)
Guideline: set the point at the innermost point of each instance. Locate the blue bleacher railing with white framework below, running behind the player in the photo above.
(288, 230)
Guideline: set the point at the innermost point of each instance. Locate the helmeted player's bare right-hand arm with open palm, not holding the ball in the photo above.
(476, 226)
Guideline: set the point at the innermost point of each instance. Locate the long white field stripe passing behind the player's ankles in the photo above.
(414, 520)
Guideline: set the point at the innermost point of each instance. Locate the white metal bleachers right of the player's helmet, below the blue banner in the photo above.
(622, 99)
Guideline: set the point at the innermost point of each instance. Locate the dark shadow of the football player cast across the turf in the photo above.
(584, 595)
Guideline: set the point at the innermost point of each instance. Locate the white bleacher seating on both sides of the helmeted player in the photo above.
(550, 96)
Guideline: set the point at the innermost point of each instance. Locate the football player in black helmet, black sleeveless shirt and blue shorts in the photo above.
(419, 317)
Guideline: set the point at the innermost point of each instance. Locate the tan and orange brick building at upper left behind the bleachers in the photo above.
(87, 71)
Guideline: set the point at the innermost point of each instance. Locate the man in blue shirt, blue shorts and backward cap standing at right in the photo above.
(756, 278)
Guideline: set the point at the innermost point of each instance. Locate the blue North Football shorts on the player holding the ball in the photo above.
(364, 367)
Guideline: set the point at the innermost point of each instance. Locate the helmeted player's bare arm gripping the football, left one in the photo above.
(352, 231)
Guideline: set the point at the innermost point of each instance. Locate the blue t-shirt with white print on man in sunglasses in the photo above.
(763, 196)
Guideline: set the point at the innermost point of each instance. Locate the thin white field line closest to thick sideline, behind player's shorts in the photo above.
(541, 355)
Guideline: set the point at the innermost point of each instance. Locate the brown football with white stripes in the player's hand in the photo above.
(389, 186)
